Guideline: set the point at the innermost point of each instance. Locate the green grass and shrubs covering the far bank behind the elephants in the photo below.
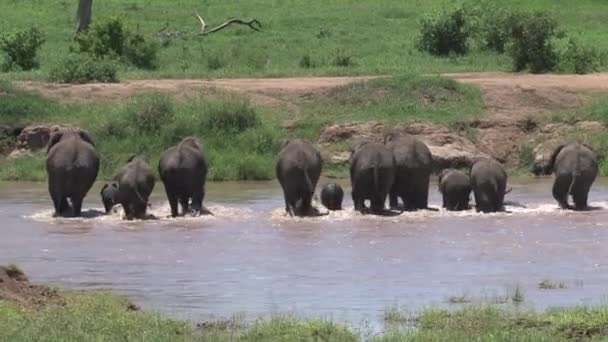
(241, 139)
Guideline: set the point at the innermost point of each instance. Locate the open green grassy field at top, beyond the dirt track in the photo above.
(337, 37)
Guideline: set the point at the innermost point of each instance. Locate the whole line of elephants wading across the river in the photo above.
(399, 168)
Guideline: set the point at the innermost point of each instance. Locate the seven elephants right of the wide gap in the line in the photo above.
(401, 168)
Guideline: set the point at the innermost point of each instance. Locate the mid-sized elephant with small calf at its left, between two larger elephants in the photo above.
(135, 184)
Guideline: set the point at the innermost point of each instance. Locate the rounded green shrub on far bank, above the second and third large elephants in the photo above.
(151, 112)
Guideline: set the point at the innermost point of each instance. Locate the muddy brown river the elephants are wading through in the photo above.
(250, 259)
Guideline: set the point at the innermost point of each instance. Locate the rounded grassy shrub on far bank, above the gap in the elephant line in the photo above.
(230, 115)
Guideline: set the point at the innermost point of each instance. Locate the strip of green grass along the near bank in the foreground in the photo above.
(105, 317)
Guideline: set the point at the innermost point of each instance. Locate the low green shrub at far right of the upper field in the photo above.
(579, 59)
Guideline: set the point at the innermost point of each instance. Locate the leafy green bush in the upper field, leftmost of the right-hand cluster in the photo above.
(445, 33)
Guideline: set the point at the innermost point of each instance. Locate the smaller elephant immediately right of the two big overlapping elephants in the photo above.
(455, 188)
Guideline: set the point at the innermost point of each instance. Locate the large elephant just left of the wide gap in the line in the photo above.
(183, 171)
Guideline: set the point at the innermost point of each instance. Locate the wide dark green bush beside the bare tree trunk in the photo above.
(110, 39)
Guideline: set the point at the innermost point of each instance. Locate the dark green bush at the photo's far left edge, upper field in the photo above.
(20, 49)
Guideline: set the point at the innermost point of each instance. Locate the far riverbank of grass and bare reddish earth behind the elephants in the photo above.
(515, 118)
